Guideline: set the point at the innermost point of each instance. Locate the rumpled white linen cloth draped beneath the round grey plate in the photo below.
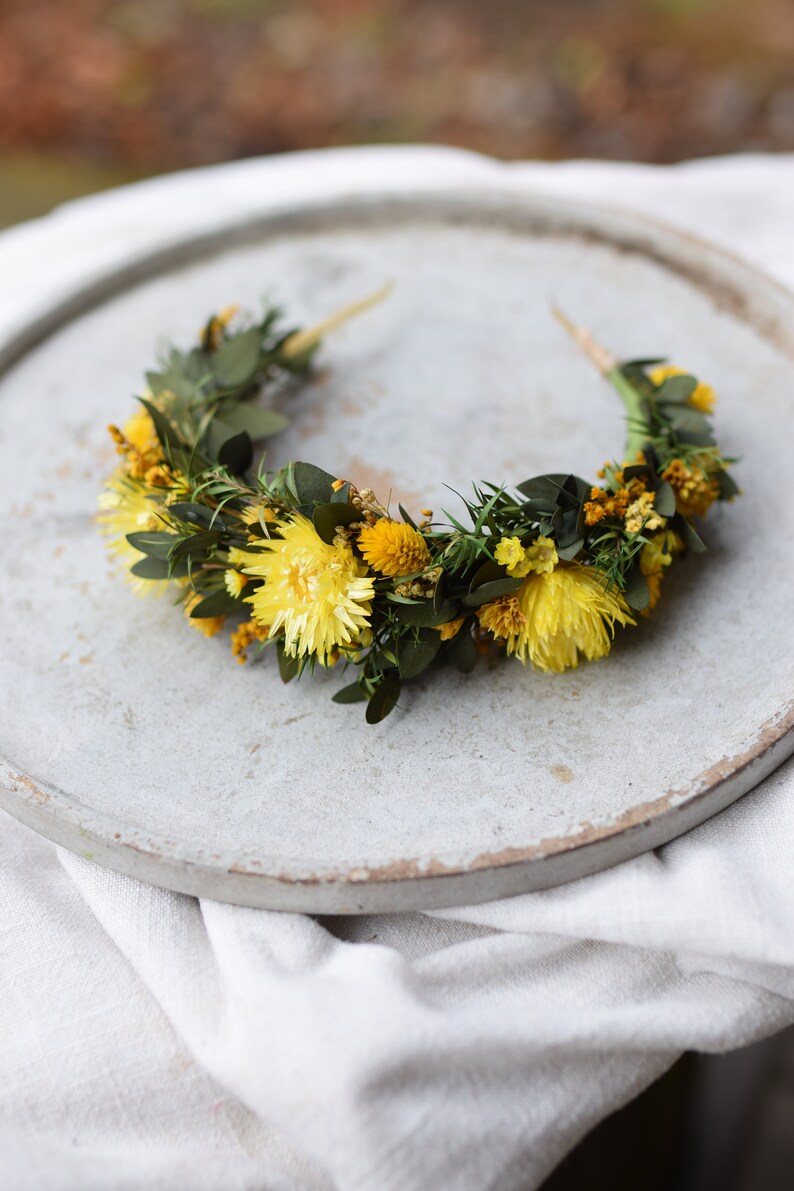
(148, 1039)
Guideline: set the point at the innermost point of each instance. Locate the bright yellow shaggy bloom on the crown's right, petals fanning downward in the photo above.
(566, 613)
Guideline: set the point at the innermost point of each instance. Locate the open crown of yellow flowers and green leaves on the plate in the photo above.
(323, 572)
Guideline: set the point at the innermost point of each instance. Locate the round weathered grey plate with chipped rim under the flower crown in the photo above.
(135, 741)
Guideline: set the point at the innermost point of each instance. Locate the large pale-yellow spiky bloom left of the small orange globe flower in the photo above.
(318, 594)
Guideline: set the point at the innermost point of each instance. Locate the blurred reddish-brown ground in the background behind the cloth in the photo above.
(97, 91)
